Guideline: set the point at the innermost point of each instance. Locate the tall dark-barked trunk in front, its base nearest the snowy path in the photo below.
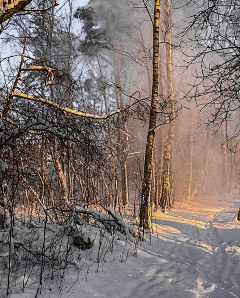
(145, 217)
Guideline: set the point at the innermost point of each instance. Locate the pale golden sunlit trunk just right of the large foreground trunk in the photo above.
(165, 200)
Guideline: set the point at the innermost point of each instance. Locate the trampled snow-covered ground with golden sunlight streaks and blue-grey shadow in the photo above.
(193, 251)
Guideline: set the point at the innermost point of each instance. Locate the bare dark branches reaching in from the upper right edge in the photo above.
(214, 34)
